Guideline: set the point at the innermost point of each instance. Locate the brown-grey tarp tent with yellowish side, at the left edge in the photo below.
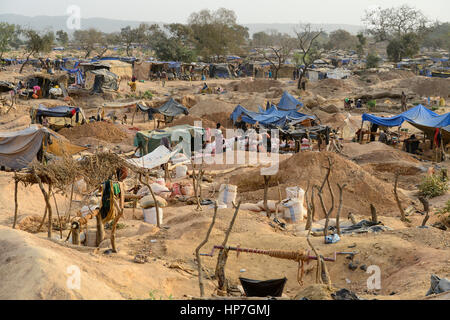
(19, 148)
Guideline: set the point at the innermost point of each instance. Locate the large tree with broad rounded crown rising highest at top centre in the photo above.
(217, 33)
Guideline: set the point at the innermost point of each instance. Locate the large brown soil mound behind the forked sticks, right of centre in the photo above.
(306, 168)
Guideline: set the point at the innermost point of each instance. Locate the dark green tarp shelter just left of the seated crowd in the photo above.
(148, 141)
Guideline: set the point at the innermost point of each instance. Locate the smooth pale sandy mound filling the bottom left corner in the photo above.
(28, 260)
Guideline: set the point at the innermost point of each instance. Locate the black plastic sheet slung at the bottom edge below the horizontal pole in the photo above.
(268, 288)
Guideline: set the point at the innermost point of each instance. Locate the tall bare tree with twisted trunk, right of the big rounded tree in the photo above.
(306, 39)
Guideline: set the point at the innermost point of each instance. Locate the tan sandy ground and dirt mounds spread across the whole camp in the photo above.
(34, 267)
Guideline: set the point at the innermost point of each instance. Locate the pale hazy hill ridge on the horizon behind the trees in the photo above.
(110, 25)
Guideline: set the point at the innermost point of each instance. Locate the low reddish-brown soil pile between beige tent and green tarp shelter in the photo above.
(101, 130)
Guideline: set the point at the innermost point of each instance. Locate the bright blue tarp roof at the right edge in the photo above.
(419, 116)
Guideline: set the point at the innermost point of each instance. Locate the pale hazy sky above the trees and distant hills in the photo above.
(248, 11)
